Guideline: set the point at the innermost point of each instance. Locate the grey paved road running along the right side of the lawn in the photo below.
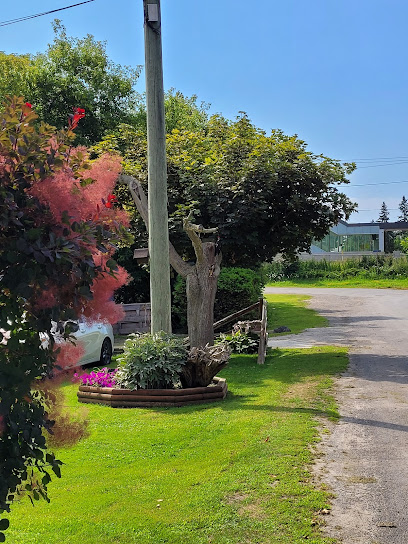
(365, 458)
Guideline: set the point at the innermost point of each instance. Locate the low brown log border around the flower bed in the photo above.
(150, 398)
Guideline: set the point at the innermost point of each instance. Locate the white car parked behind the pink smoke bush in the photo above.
(96, 339)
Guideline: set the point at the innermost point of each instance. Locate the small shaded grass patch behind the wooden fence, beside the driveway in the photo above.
(292, 312)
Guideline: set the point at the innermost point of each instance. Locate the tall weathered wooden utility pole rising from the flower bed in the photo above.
(160, 296)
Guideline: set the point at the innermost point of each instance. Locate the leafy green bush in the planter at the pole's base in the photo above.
(151, 361)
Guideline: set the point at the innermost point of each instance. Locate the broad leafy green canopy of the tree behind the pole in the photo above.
(267, 194)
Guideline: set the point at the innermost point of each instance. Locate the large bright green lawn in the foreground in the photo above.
(234, 472)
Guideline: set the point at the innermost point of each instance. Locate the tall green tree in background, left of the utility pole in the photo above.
(76, 72)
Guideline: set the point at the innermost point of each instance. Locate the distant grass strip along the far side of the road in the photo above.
(397, 283)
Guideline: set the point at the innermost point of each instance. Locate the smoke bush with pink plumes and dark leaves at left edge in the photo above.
(57, 238)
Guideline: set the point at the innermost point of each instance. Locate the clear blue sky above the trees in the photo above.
(332, 71)
